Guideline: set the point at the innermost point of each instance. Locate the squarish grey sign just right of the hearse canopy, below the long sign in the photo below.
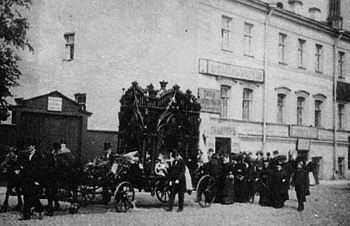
(210, 100)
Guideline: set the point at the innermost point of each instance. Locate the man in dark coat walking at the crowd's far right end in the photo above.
(300, 181)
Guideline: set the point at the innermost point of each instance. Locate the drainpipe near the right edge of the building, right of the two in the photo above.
(335, 109)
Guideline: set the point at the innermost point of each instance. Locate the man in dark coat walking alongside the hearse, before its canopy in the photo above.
(177, 181)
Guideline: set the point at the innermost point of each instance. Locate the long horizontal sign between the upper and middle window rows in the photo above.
(228, 70)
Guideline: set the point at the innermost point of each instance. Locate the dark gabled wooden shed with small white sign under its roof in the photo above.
(51, 118)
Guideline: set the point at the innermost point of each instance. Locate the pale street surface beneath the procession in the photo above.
(329, 204)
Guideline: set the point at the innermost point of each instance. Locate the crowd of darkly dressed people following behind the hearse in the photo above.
(239, 177)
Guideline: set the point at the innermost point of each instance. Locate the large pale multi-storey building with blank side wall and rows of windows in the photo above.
(266, 72)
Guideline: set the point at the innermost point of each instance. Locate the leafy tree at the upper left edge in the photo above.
(13, 37)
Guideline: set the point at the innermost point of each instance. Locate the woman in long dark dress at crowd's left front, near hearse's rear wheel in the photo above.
(228, 192)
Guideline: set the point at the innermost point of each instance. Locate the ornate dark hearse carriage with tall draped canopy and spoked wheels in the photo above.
(151, 124)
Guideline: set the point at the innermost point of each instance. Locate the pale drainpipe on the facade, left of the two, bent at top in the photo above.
(267, 23)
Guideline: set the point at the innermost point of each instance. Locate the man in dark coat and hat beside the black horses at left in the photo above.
(32, 178)
